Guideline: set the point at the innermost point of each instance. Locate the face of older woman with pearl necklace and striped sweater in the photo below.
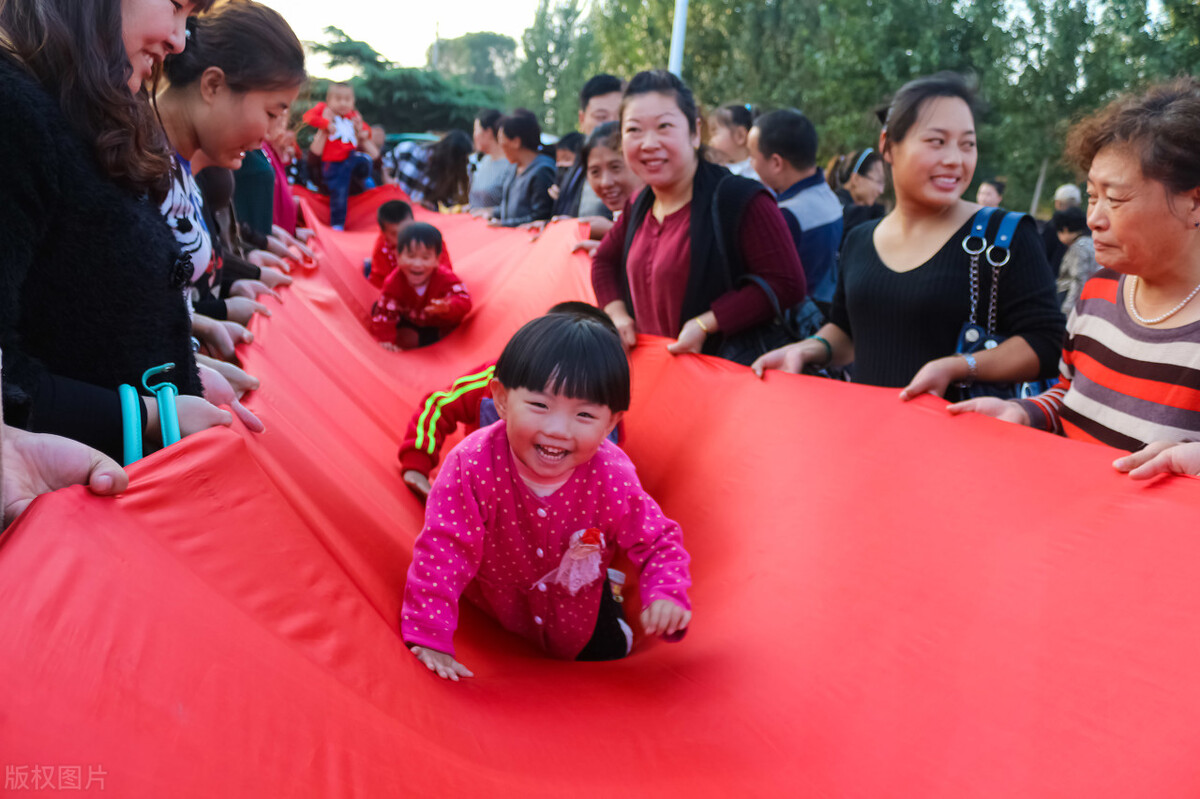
(1136, 225)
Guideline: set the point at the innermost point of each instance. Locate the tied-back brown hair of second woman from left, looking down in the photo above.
(251, 44)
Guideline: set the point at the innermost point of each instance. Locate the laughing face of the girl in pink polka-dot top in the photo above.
(551, 434)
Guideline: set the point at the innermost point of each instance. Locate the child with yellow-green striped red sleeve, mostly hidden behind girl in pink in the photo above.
(467, 401)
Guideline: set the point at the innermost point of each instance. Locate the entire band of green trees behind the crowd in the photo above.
(1039, 64)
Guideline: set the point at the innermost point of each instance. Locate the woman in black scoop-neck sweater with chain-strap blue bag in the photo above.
(905, 286)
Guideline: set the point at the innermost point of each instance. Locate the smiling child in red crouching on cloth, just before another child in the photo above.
(422, 299)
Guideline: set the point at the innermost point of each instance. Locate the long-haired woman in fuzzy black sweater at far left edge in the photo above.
(91, 277)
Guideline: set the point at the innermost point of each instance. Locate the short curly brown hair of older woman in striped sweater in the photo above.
(1160, 127)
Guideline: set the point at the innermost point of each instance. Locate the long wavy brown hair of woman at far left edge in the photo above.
(76, 52)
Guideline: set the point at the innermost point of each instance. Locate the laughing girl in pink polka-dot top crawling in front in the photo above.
(527, 514)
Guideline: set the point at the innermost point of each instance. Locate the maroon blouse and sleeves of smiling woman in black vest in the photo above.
(767, 250)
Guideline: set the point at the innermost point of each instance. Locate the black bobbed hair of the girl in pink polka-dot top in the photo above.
(568, 353)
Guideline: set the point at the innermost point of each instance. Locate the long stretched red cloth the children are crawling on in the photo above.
(890, 602)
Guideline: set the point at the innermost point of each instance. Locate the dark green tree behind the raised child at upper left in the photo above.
(401, 99)
